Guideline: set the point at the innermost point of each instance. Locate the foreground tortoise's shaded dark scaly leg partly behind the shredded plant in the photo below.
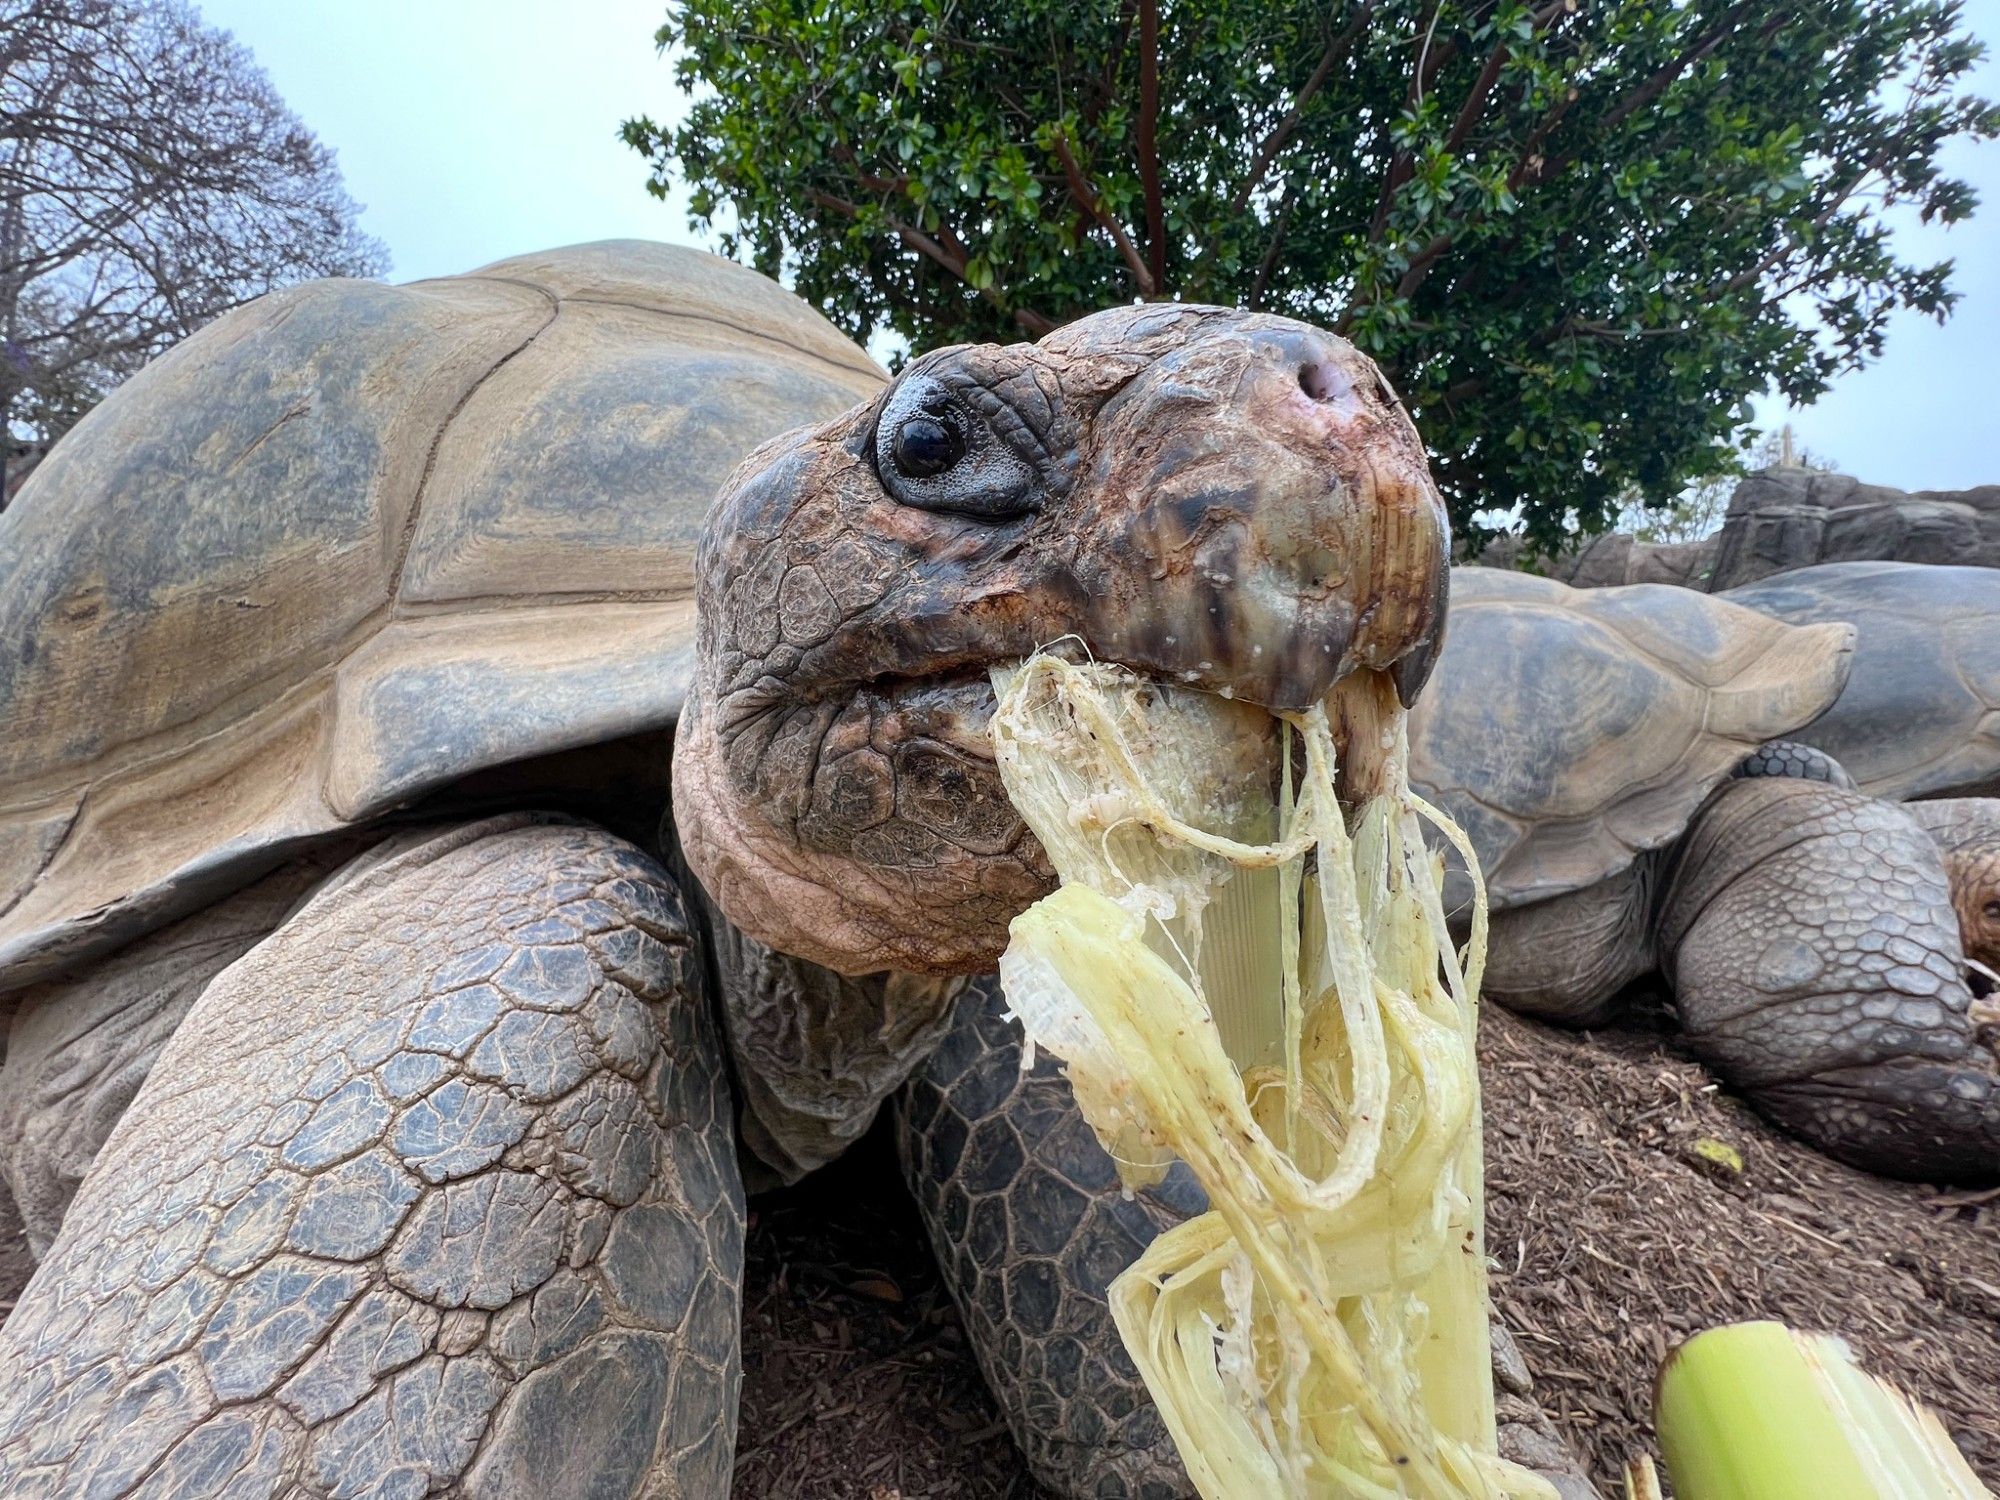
(1031, 1227)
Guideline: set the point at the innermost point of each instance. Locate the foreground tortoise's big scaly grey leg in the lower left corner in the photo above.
(433, 1189)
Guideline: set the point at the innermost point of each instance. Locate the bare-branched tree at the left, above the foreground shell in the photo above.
(149, 181)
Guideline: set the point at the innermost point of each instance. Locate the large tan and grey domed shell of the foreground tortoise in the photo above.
(353, 543)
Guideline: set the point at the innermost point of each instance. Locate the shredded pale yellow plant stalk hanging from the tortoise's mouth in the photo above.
(1243, 977)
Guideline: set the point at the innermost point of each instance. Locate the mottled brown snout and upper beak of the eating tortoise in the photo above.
(1265, 521)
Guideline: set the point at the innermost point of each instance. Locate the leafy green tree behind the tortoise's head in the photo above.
(1579, 237)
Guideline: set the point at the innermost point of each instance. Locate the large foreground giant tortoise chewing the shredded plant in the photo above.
(353, 655)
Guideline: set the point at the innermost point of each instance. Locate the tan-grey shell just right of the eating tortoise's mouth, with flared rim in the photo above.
(1573, 729)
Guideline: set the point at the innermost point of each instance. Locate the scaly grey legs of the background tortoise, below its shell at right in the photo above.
(1817, 945)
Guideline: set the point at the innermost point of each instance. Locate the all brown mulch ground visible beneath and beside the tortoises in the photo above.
(1613, 1241)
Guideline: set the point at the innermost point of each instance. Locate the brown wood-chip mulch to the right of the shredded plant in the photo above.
(1615, 1239)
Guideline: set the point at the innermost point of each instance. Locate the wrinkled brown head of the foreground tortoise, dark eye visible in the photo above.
(1211, 497)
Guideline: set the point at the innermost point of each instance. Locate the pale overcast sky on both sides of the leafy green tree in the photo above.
(483, 129)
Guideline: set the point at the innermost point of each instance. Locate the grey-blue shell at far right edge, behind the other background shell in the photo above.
(1921, 713)
